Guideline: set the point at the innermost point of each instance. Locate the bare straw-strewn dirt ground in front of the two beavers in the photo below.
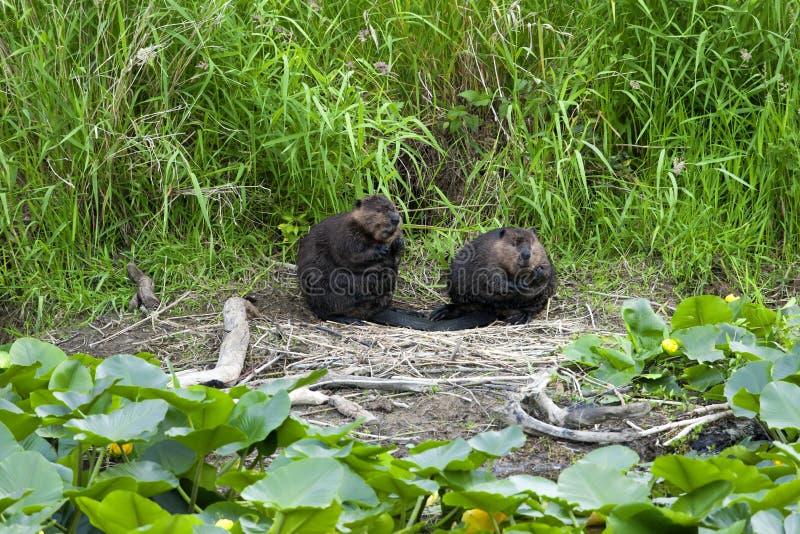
(288, 340)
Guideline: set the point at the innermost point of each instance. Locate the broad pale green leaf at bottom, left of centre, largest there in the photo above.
(307, 483)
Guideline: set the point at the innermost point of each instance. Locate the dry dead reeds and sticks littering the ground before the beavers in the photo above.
(412, 386)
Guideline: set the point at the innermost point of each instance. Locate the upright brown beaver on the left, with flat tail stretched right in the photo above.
(347, 269)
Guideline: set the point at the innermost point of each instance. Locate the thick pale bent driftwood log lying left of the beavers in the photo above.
(232, 352)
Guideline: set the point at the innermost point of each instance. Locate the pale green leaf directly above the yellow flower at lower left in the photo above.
(135, 421)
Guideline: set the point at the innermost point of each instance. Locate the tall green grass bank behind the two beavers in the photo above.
(196, 138)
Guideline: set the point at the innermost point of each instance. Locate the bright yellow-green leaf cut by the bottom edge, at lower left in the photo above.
(121, 511)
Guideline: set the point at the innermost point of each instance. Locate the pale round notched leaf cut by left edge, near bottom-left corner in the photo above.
(28, 470)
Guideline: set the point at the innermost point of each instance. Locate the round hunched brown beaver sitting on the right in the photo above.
(505, 272)
